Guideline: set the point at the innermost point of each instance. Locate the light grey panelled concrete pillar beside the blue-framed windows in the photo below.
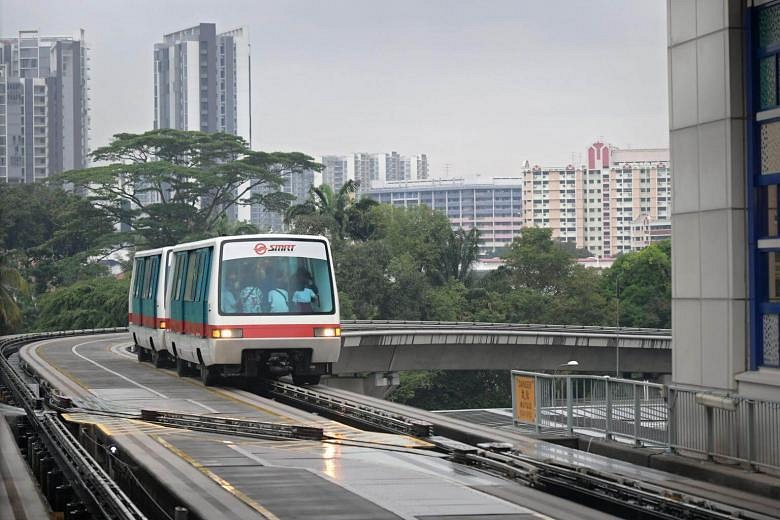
(709, 216)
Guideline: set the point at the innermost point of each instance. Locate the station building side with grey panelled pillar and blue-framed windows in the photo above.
(724, 133)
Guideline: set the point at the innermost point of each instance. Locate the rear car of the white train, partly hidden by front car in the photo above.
(147, 309)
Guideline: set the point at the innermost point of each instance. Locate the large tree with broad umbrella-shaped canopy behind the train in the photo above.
(169, 186)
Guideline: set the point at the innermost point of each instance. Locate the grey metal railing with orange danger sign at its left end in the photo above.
(692, 421)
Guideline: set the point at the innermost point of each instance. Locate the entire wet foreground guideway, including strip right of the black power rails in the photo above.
(348, 472)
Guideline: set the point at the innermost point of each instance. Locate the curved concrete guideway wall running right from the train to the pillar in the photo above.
(394, 346)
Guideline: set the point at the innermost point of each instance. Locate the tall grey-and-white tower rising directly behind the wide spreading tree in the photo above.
(201, 81)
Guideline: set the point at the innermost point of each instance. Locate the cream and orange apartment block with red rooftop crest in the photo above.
(619, 201)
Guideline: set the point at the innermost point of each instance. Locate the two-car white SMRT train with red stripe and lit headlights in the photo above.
(247, 305)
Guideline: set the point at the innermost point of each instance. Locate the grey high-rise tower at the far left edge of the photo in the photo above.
(44, 110)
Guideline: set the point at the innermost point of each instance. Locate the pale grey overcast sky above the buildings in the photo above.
(479, 85)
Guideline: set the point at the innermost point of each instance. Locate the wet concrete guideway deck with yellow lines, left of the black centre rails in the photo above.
(350, 473)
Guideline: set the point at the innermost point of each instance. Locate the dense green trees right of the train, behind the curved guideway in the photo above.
(409, 264)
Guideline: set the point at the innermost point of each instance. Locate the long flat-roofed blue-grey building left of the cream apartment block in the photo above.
(494, 208)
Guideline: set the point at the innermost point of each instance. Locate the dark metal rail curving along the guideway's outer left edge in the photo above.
(93, 485)
